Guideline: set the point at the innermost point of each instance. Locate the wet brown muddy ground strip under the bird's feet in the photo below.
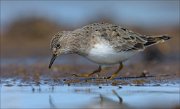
(135, 73)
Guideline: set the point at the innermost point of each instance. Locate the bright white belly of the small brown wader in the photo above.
(105, 54)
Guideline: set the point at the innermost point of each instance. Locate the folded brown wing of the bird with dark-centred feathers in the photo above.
(120, 38)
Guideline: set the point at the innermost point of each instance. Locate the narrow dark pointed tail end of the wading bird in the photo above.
(151, 40)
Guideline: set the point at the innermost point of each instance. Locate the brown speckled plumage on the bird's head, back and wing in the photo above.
(82, 39)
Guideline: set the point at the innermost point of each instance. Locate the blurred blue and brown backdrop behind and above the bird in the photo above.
(28, 26)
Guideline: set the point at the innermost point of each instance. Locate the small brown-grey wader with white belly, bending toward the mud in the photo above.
(102, 43)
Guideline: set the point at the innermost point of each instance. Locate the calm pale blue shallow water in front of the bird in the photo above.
(88, 96)
